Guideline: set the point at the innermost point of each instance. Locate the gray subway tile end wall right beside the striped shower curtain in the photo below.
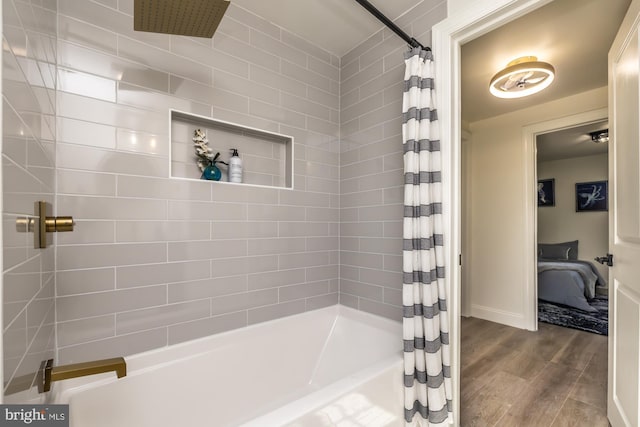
(371, 165)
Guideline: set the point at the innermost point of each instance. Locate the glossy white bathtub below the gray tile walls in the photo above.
(334, 366)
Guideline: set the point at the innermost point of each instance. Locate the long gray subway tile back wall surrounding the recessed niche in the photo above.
(176, 259)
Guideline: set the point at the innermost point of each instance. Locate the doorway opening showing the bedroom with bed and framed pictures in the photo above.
(573, 227)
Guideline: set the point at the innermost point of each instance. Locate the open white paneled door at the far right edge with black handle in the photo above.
(624, 223)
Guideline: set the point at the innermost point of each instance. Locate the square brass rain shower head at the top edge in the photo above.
(196, 18)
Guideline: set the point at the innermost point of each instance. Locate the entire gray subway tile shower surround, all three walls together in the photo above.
(156, 261)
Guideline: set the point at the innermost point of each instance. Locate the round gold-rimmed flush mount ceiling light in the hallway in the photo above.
(522, 77)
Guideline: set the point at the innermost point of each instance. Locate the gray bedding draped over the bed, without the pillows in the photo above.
(568, 282)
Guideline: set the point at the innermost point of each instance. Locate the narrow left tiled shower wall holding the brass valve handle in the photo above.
(29, 126)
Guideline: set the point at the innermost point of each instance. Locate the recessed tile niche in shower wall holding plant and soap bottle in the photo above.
(267, 157)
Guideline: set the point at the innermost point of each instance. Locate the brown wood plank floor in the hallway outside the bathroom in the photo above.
(511, 377)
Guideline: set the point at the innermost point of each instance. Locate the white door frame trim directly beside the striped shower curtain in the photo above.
(472, 21)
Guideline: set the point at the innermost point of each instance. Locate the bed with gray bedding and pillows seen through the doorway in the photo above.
(564, 279)
